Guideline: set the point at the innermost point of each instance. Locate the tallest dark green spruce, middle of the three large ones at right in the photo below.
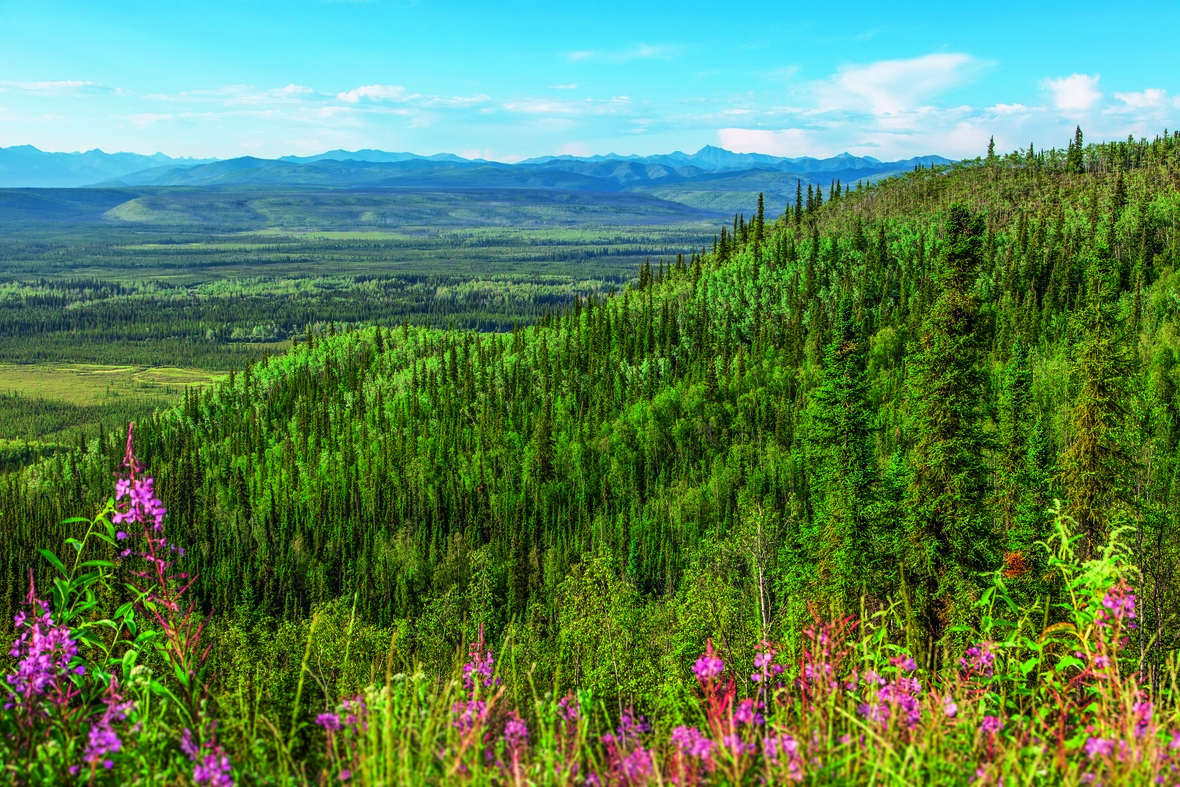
(949, 541)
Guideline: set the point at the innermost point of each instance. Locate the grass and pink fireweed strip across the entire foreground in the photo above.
(109, 685)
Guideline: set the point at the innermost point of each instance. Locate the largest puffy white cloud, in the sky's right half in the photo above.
(894, 87)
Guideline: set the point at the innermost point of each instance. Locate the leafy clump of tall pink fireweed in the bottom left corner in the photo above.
(67, 713)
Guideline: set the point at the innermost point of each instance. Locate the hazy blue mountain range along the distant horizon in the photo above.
(712, 179)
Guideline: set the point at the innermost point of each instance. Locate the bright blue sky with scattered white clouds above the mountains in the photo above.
(510, 80)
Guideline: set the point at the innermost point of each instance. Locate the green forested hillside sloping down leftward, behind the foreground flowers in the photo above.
(874, 398)
